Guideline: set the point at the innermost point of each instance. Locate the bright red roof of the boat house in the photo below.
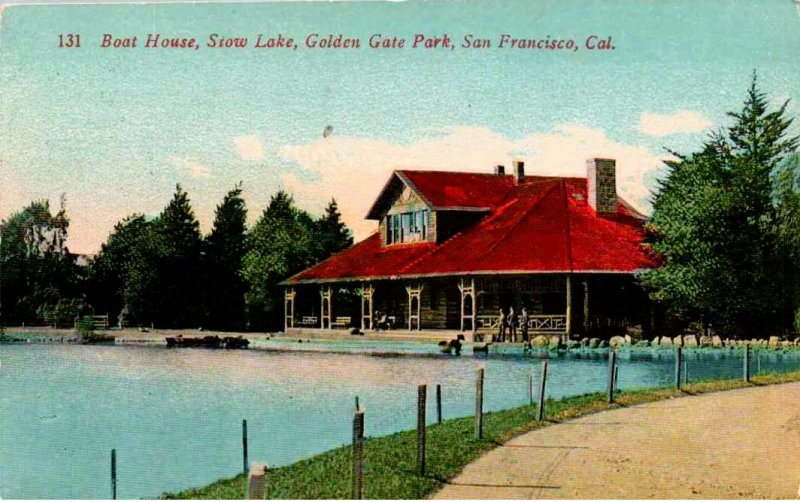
(541, 225)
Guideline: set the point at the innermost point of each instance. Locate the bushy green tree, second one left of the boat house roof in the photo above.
(281, 243)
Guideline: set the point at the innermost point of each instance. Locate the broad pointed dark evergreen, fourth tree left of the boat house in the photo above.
(162, 284)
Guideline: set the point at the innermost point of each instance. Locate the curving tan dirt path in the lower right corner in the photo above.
(738, 444)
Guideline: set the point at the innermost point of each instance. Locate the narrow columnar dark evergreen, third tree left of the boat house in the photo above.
(224, 250)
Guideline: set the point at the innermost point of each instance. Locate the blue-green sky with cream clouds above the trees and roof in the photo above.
(115, 130)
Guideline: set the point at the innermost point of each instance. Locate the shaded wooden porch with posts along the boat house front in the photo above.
(556, 304)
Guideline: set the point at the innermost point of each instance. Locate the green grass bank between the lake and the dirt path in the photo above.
(390, 461)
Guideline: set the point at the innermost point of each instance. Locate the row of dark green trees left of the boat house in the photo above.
(162, 270)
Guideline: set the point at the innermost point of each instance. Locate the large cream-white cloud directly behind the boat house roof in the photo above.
(353, 170)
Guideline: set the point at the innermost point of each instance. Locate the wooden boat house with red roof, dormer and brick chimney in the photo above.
(454, 248)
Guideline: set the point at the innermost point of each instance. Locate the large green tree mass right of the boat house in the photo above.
(721, 225)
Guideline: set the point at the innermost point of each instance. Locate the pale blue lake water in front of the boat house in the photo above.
(174, 416)
